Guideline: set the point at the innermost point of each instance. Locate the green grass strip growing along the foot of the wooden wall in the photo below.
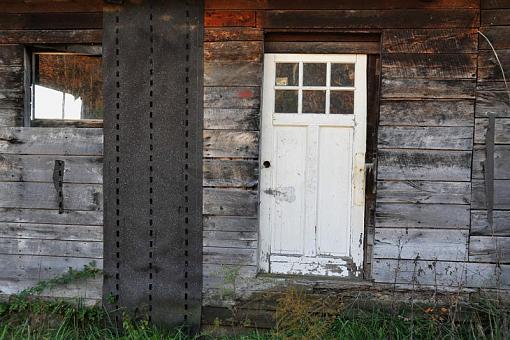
(42, 319)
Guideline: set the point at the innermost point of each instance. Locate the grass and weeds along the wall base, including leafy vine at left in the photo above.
(298, 316)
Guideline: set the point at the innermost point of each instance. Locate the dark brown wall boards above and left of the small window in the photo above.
(25, 23)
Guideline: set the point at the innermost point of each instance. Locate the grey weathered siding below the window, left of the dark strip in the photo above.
(37, 241)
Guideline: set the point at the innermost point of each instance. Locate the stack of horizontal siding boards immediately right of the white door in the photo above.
(425, 154)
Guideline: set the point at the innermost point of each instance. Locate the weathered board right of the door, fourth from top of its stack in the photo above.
(427, 112)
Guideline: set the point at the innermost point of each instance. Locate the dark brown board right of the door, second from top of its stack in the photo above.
(429, 66)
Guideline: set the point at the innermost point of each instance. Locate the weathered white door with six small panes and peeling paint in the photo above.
(312, 164)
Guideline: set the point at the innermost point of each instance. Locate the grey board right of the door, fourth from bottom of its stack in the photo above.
(419, 192)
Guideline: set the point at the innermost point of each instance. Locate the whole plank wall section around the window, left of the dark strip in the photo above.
(38, 242)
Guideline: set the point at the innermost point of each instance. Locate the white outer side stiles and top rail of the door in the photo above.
(357, 233)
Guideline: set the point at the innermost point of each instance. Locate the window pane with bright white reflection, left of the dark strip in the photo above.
(67, 86)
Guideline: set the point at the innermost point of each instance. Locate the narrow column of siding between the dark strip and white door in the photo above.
(233, 52)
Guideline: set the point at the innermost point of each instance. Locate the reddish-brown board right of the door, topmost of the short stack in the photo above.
(429, 41)
